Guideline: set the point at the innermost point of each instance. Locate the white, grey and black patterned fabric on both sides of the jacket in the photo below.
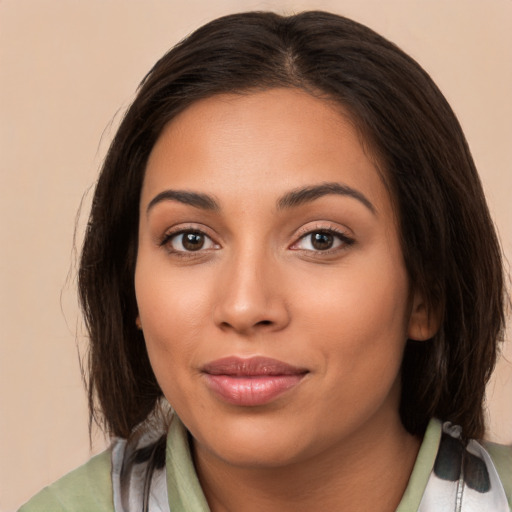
(463, 478)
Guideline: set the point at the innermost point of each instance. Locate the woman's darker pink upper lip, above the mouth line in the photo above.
(251, 367)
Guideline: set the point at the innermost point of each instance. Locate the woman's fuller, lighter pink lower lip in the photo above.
(251, 391)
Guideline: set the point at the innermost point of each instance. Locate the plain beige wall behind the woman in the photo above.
(66, 70)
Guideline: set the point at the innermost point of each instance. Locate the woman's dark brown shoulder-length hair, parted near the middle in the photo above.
(448, 239)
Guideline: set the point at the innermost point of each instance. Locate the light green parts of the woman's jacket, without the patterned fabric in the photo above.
(89, 488)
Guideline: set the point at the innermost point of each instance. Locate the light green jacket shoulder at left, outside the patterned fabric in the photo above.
(86, 488)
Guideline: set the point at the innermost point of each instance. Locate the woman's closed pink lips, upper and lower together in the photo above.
(251, 381)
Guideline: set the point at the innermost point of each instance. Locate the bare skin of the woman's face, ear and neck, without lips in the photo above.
(258, 287)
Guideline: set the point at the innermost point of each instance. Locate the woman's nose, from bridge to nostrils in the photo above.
(250, 296)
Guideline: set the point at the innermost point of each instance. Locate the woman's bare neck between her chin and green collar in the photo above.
(368, 471)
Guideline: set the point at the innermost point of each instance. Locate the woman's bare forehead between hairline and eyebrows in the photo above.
(249, 143)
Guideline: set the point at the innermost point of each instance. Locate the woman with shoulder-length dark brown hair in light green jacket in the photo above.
(289, 244)
